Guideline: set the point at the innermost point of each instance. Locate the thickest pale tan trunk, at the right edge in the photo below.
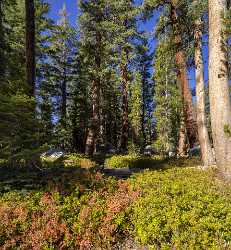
(220, 108)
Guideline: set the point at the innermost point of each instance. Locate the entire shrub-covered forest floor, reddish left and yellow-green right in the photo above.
(133, 203)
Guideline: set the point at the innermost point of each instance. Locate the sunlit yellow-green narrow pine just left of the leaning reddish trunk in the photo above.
(167, 99)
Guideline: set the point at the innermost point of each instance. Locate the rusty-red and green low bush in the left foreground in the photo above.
(78, 211)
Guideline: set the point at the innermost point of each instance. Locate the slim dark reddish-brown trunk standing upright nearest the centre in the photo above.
(125, 122)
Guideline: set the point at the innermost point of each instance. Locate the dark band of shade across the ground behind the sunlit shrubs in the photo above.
(65, 179)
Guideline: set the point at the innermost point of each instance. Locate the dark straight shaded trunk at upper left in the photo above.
(30, 45)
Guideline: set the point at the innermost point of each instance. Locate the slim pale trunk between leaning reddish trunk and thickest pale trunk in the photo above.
(205, 145)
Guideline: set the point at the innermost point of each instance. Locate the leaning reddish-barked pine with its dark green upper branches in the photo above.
(174, 20)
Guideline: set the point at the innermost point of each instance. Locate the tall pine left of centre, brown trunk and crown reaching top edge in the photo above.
(93, 44)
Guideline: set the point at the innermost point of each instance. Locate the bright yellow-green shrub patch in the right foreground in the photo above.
(182, 209)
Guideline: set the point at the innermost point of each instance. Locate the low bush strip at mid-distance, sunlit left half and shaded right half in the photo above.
(131, 161)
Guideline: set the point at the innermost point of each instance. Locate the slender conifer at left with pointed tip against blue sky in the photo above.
(60, 75)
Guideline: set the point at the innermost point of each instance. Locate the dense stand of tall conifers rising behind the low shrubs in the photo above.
(101, 85)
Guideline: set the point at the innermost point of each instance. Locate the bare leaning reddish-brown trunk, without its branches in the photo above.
(189, 113)
